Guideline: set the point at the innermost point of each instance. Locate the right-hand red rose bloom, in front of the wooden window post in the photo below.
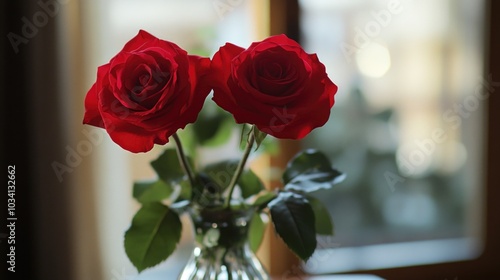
(274, 85)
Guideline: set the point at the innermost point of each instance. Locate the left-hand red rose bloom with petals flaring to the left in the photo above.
(148, 91)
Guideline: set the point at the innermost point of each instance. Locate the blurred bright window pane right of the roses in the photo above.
(406, 129)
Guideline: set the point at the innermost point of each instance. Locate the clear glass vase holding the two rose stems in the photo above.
(221, 246)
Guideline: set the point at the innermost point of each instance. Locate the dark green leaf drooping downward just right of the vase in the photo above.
(293, 219)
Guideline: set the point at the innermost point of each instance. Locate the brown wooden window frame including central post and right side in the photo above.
(285, 18)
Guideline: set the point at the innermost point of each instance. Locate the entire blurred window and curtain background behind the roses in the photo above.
(413, 128)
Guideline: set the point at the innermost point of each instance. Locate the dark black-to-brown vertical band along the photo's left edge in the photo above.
(32, 139)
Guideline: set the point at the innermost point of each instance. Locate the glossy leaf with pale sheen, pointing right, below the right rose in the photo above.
(310, 171)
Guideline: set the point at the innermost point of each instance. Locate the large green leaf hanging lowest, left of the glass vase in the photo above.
(153, 235)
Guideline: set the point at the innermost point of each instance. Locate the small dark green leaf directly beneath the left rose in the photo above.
(168, 167)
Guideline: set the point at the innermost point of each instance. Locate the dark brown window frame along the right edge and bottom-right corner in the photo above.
(486, 265)
